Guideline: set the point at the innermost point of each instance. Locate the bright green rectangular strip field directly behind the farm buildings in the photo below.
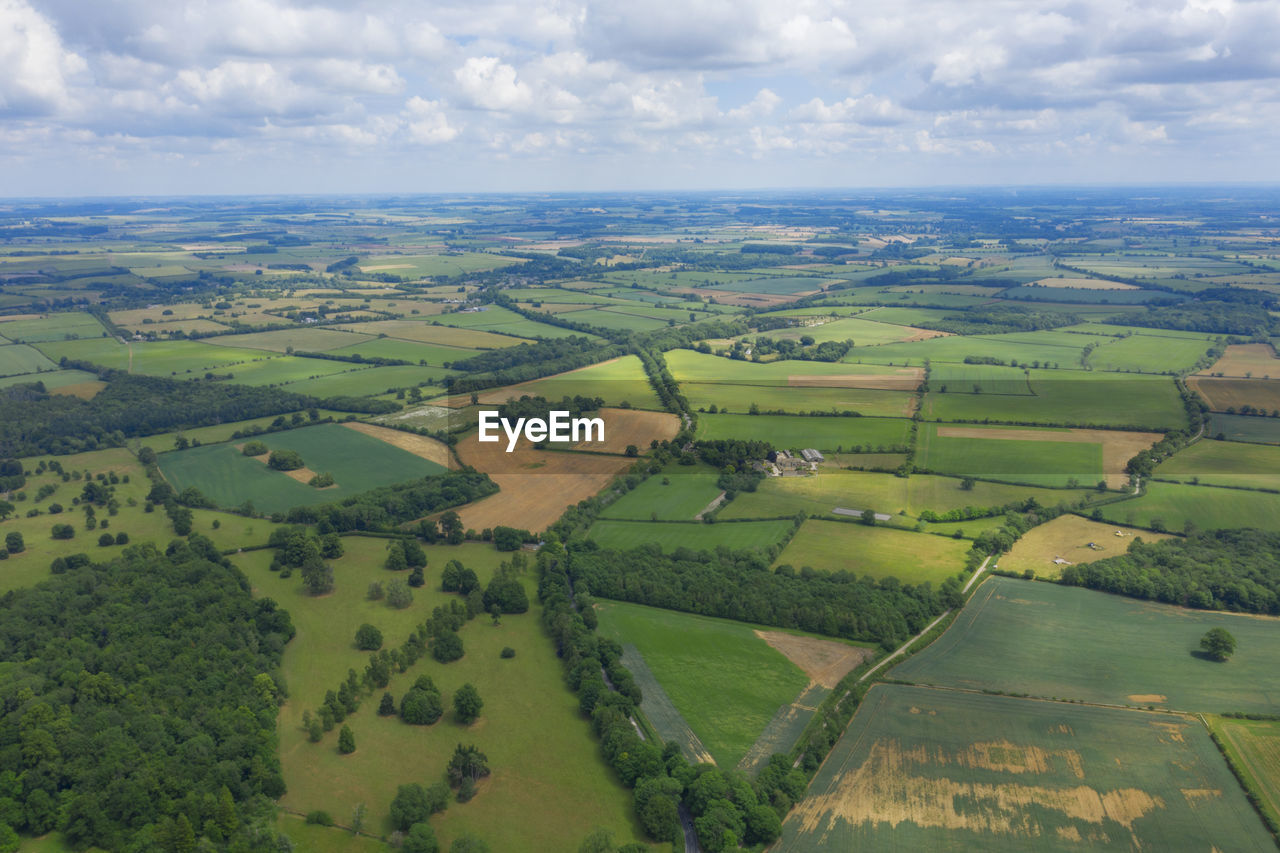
(796, 432)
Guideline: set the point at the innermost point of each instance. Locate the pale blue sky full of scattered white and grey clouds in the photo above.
(276, 97)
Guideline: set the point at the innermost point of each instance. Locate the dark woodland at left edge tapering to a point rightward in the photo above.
(35, 422)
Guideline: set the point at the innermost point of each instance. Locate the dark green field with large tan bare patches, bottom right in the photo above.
(934, 770)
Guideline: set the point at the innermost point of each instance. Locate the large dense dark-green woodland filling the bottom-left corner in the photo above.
(140, 704)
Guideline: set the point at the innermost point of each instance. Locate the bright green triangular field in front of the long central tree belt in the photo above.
(725, 682)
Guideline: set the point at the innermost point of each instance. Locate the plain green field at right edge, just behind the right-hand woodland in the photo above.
(1206, 508)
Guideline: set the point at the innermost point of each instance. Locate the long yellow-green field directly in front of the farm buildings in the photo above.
(819, 495)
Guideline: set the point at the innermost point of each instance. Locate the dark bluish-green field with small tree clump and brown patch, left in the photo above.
(356, 462)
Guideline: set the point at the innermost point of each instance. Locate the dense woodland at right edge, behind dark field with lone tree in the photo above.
(1218, 571)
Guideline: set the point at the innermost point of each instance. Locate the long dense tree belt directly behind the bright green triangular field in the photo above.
(740, 586)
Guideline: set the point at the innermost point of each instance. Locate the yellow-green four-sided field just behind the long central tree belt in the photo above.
(875, 551)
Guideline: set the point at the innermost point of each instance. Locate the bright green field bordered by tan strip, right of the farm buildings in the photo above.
(1046, 463)
